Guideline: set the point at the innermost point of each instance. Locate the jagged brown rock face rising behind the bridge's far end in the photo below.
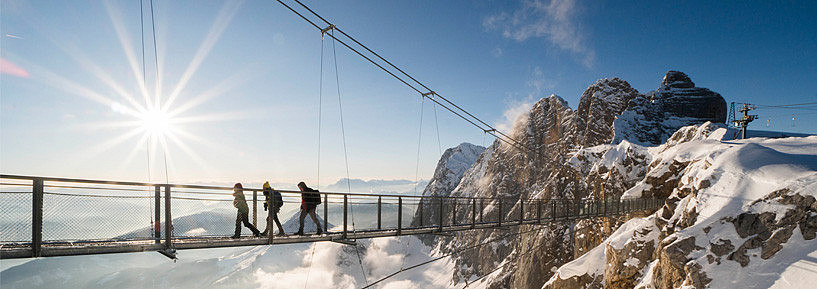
(573, 156)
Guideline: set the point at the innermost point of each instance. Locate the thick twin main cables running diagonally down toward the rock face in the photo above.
(445, 103)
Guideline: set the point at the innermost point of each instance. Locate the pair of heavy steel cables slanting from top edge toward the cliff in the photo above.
(484, 126)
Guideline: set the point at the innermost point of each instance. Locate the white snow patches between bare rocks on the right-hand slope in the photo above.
(737, 173)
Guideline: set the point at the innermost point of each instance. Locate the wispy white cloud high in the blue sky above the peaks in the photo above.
(554, 20)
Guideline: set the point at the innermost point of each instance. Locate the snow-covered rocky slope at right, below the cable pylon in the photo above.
(739, 214)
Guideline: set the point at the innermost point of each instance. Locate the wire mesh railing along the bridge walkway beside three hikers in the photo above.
(48, 215)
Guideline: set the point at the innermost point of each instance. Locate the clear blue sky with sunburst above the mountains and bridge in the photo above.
(250, 71)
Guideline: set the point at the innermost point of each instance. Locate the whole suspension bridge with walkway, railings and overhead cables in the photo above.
(49, 216)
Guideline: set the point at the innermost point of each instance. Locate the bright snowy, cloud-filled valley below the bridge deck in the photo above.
(281, 266)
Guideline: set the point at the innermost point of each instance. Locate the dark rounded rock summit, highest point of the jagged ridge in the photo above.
(650, 119)
